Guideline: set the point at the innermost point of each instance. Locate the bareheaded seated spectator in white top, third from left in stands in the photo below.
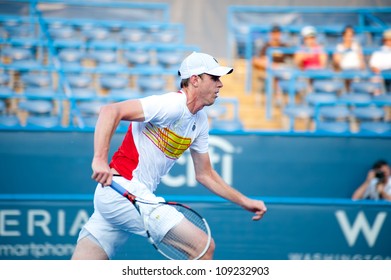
(348, 54)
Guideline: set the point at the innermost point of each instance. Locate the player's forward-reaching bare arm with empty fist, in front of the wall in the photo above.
(208, 177)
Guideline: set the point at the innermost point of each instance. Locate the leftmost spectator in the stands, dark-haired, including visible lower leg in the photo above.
(279, 58)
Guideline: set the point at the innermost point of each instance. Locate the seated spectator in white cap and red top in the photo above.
(311, 56)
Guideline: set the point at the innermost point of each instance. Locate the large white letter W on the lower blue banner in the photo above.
(351, 230)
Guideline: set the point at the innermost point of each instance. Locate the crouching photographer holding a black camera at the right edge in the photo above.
(377, 184)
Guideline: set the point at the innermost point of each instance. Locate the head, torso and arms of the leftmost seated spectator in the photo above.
(278, 58)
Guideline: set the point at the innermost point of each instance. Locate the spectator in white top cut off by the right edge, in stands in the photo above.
(380, 60)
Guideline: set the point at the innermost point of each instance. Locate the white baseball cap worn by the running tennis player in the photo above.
(199, 63)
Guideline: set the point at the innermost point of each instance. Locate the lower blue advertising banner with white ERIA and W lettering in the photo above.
(292, 229)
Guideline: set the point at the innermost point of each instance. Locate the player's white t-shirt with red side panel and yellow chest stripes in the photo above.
(151, 148)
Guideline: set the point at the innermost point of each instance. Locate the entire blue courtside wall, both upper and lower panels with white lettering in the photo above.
(305, 181)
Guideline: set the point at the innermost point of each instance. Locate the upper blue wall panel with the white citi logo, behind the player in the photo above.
(256, 164)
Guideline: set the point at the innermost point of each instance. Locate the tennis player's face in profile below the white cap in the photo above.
(209, 88)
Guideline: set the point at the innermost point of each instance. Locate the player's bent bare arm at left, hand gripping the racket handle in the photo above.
(109, 117)
